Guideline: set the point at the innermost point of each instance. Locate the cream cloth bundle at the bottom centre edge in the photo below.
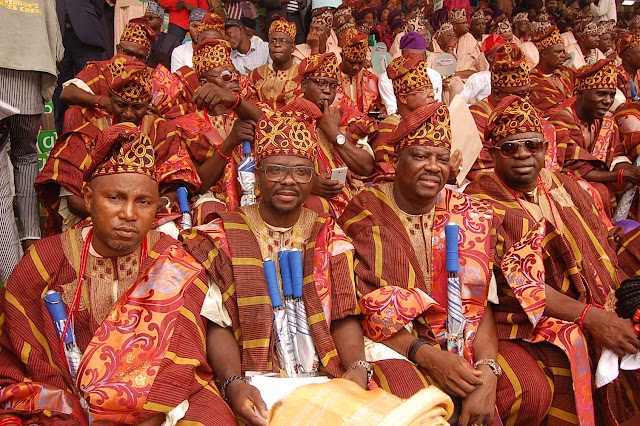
(342, 402)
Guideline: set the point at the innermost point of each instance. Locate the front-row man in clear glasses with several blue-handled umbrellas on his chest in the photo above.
(239, 303)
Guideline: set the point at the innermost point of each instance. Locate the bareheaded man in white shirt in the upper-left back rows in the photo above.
(247, 54)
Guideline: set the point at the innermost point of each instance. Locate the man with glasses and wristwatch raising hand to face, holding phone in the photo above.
(342, 134)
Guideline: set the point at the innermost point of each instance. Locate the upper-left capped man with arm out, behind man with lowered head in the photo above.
(88, 92)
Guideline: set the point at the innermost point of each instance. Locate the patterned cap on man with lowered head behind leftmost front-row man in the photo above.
(129, 78)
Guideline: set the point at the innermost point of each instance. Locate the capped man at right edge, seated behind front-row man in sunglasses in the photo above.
(593, 150)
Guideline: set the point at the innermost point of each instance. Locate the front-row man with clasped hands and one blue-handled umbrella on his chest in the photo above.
(397, 229)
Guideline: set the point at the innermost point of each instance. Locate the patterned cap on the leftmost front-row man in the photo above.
(121, 148)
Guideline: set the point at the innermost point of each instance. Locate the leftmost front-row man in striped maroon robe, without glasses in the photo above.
(105, 272)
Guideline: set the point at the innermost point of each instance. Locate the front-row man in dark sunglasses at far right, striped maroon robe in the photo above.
(551, 320)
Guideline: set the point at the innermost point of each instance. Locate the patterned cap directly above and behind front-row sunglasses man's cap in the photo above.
(509, 68)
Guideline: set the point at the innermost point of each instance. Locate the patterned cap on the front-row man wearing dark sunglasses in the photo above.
(512, 116)
